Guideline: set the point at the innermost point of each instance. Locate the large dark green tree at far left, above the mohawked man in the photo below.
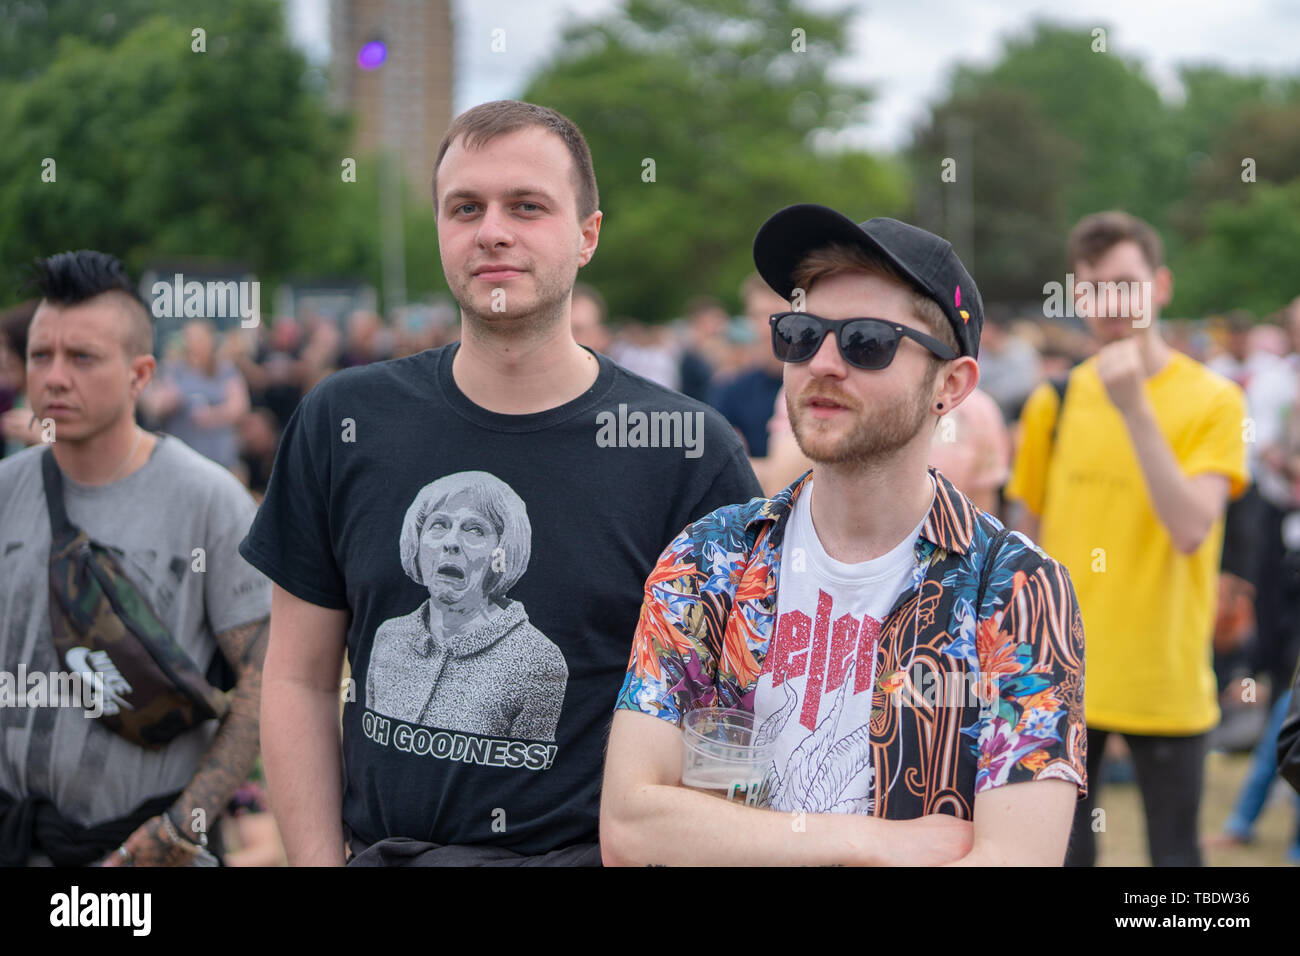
(163, 152)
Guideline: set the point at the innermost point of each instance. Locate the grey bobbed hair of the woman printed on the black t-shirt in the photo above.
(500, 507)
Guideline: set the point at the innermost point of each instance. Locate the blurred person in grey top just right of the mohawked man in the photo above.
(201, 399)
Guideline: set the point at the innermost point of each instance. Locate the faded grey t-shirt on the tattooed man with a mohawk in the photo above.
(155, 520)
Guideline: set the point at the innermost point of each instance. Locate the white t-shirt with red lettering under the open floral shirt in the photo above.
(814, 694)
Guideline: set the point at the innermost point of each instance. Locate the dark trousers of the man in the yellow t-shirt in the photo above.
(1171, 772)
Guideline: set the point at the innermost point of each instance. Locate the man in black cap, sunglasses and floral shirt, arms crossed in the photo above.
(915, 672)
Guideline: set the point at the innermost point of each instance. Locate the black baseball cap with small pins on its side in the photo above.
(928, 261)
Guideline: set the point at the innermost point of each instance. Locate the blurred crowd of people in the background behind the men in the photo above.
(229, 393)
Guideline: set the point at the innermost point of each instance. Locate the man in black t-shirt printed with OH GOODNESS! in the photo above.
(475, 525)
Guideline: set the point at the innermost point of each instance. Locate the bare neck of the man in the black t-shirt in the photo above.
(517, 377)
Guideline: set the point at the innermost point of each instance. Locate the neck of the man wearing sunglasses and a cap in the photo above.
(864, 512)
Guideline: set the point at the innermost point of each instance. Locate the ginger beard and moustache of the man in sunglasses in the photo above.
(860, 434)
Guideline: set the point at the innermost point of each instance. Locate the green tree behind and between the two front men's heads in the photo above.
(733, 103)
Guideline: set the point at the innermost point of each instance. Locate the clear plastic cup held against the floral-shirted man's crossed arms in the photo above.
(722, 758)
